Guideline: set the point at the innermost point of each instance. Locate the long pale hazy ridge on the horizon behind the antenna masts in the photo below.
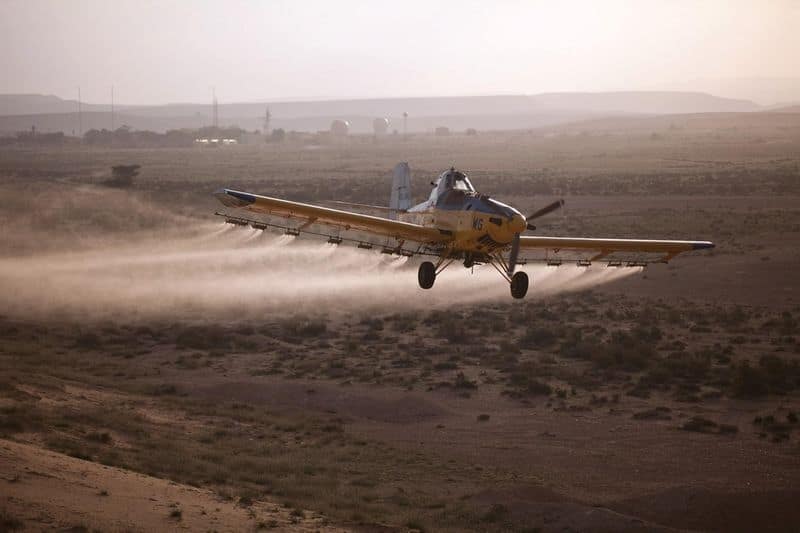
(50, 113)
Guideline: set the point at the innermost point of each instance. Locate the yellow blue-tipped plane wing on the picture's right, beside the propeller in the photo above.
(605, 248)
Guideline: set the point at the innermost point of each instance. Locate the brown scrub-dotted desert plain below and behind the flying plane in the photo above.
(161, 370)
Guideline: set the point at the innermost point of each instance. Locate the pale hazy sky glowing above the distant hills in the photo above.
(168, 51)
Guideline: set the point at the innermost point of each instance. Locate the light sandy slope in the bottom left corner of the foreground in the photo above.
(56, 492)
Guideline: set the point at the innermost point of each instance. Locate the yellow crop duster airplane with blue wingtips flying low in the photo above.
(454, 223)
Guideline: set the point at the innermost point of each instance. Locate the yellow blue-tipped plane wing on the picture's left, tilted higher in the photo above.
(312, 214)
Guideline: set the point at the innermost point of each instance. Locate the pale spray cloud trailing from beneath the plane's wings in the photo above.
(233, 272)
